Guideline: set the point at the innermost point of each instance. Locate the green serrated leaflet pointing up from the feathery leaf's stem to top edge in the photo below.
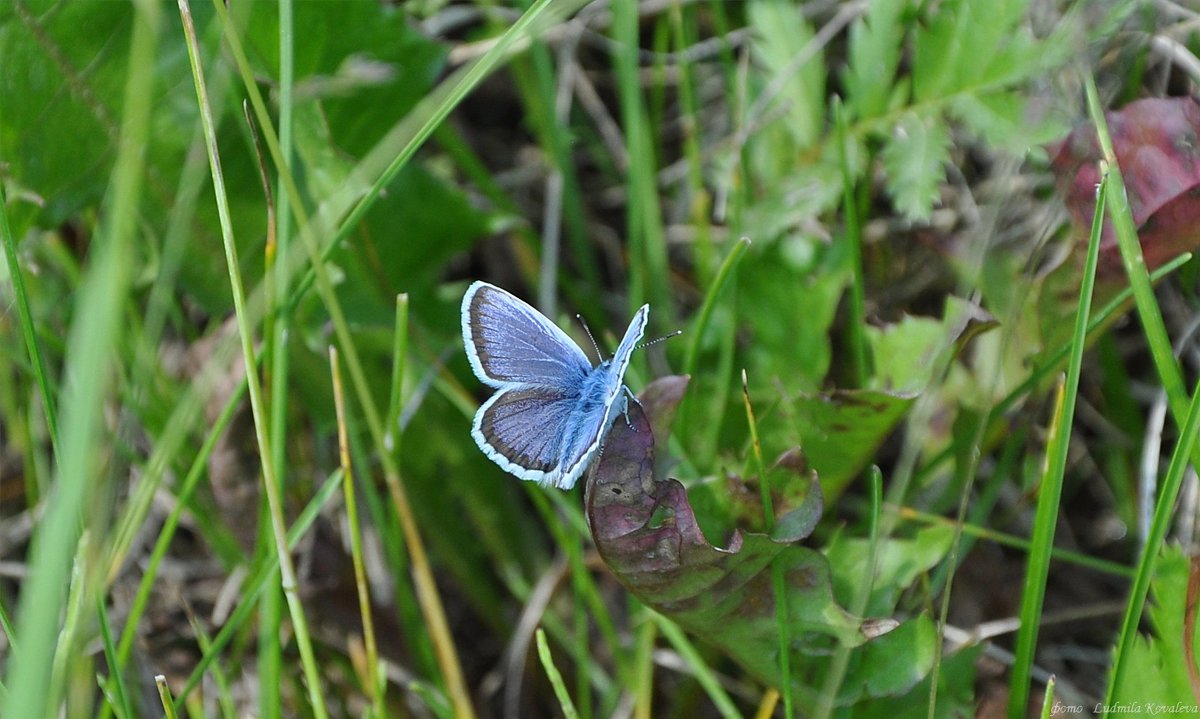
(875, 44)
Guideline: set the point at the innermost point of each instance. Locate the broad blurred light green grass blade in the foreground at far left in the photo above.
(95, 334)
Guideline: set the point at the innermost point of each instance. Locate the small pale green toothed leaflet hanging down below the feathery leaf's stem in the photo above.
(914, 160)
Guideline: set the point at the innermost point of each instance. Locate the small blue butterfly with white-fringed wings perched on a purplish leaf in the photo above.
(553, 409)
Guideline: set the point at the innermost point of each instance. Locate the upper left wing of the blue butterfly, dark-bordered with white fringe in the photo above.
(509, 343)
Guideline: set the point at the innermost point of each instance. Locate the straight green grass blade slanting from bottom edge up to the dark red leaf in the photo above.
(1051, 492)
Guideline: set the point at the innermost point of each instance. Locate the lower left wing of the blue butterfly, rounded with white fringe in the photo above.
(521, 429)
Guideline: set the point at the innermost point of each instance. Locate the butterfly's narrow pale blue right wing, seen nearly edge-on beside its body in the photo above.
(602, 400)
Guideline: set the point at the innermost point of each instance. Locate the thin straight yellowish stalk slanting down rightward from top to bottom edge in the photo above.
(247, 334)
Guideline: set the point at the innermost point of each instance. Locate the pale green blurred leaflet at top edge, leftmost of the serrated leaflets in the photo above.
(781, 37)
